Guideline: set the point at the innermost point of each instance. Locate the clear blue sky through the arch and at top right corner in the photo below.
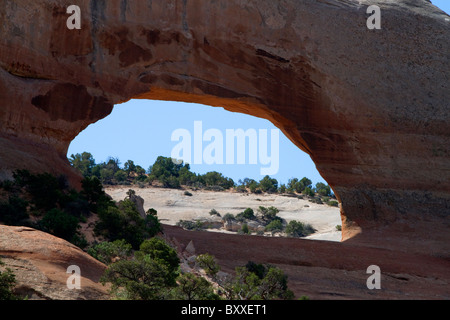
(141, 130)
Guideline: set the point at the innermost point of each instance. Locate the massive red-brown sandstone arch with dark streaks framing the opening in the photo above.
(369, 106)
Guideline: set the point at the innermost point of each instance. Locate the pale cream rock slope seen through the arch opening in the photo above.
(172, 206)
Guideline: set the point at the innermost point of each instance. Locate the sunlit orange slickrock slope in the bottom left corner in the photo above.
(40, 262)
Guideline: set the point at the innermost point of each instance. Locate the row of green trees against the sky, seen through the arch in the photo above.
(170, 173)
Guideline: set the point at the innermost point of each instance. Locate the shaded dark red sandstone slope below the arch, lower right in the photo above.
(325, 270)
